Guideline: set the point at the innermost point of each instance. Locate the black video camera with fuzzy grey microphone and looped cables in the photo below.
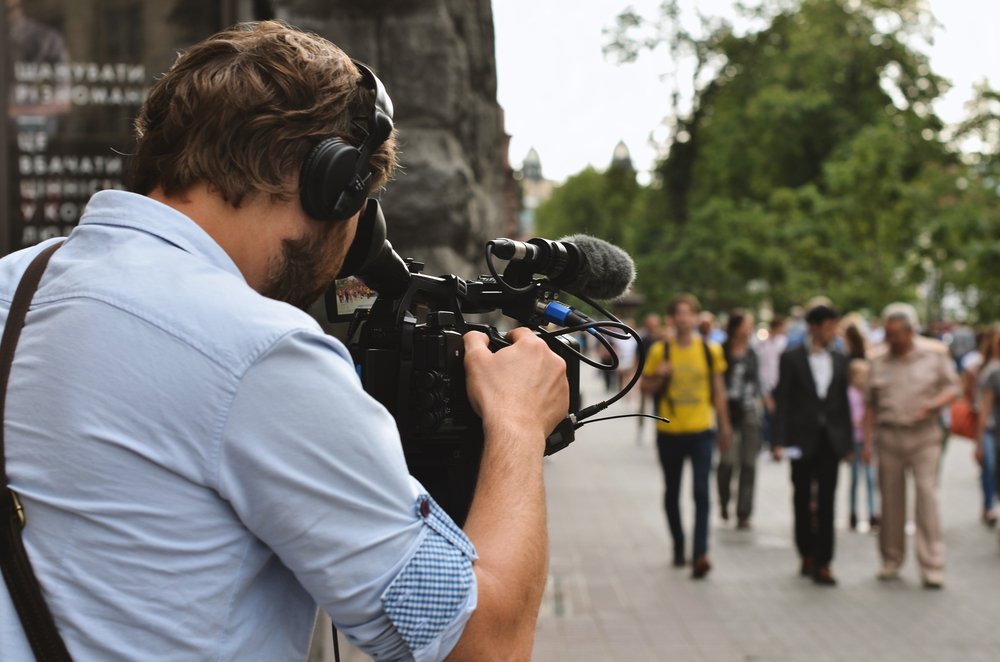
(415, 366)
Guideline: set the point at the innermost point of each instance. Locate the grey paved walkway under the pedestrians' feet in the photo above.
(612, 593)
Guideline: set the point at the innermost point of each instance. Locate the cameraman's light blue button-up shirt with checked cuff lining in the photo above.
(200, 467)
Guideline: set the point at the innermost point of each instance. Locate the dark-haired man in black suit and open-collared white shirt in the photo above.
(813, 414)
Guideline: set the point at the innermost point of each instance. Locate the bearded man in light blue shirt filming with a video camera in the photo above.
(197, 462)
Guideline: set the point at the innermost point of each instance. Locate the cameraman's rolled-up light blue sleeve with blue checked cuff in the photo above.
(313, 467)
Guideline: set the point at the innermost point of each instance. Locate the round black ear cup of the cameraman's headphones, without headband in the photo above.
(326, 174)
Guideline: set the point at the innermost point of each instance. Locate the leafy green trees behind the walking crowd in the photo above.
(809, 161)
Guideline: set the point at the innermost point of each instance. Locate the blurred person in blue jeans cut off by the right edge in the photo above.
(988, 403)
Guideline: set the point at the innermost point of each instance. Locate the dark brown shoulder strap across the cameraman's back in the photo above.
(26, 594)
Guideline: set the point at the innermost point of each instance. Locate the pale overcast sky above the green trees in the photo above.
(561, 97)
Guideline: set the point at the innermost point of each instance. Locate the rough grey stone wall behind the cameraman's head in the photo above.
(436, 58)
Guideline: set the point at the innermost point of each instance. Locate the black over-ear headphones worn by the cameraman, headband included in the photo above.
(335, 179)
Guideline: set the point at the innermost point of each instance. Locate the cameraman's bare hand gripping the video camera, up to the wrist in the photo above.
(522, 385)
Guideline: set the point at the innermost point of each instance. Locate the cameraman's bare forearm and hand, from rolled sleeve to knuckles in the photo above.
(521, 393)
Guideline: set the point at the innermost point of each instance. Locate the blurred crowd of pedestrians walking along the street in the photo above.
(819, 388)
